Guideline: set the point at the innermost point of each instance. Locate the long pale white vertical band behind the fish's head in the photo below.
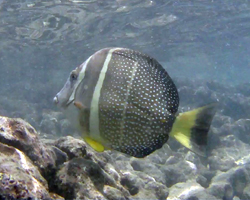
(94, 108)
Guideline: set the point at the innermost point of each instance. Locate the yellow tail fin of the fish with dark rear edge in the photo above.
(191, 128)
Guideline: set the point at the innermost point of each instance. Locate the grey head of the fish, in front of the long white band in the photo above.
(81, 82)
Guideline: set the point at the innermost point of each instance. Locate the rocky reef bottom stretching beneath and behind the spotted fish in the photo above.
(44, 165)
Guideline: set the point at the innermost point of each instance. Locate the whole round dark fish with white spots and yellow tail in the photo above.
(124, 100)
